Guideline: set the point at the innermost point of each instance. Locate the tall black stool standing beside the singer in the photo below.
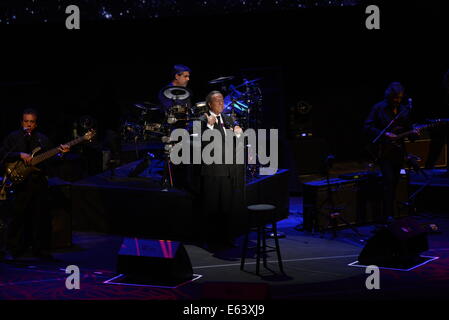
(259, 215)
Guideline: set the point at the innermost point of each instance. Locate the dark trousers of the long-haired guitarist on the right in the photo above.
(391, 172)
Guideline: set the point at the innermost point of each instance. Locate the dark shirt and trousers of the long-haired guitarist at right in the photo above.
(390, 156)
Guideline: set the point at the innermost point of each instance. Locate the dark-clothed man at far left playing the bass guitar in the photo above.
(30, 222)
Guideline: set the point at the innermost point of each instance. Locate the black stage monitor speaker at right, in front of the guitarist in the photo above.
(398, 245)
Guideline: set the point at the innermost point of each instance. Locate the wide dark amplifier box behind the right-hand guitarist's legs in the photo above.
(357, 201)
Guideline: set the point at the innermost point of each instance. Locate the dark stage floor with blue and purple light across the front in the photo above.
(316, 268)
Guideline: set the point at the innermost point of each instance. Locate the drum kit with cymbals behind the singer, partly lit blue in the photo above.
(242, 102)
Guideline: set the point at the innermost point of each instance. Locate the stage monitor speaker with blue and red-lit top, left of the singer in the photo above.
(158, 261)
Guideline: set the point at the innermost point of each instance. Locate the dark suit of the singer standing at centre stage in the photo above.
(222, 192)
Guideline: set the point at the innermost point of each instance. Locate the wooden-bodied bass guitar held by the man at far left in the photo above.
(18, 171)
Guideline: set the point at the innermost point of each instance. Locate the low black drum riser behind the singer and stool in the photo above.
(152, 213)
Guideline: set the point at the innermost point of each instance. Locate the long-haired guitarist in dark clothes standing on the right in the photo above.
(390, 150)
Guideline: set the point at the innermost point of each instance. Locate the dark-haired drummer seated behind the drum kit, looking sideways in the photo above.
(180, 78)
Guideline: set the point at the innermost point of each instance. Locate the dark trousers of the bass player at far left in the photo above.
(30, 222)
